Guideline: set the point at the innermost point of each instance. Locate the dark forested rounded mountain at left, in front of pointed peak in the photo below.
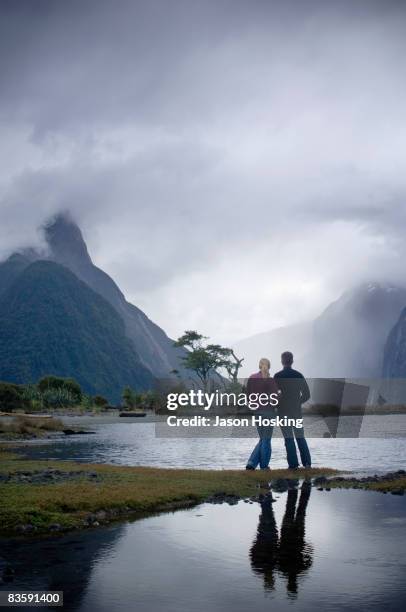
(51, 322)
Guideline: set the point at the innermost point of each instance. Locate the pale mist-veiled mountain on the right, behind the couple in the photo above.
(346, 340)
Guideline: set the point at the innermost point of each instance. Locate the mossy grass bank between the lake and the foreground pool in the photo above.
(44, 496)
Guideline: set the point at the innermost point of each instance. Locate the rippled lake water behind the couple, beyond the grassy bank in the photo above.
(131, 442)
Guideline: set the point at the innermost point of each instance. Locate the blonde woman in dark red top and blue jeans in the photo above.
(262, 382)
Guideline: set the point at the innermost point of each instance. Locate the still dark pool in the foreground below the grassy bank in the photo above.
(337, 550)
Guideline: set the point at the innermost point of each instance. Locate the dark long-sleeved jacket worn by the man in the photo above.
(294, 392)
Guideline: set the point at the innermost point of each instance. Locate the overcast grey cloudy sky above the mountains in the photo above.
(234, 165)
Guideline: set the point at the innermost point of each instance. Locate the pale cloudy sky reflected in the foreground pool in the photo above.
(203, 558)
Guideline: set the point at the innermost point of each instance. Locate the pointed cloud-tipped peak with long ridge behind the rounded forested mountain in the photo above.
(67, 247)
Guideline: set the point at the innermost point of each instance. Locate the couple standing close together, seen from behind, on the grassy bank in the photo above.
(293, 391)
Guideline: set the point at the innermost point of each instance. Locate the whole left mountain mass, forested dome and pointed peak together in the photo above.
(52, 303)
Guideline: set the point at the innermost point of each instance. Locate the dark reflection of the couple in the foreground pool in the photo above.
(287, 553)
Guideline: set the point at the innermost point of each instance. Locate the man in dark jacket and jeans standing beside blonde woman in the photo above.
(294, 392)
